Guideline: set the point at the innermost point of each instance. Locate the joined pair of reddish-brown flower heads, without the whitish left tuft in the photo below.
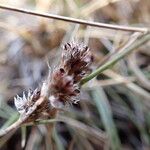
(75, 64)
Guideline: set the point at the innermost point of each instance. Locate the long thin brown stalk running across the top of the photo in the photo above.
(74, 20)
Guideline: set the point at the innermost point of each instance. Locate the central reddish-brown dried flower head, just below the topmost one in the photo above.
(62, 87)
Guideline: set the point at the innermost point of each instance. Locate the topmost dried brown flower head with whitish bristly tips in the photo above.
(76, 60)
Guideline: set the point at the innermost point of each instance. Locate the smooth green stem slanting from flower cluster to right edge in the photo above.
(116, 58)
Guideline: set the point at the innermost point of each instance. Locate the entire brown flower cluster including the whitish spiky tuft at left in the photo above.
(63, 85)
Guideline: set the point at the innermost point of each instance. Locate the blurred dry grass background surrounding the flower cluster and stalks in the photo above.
(113, 112)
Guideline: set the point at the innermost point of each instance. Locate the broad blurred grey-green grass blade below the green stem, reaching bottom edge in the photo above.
(106, 115)
